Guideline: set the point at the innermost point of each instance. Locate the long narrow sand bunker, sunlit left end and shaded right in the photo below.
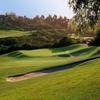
(45, 71)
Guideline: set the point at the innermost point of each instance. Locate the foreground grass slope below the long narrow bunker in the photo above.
(79, 83)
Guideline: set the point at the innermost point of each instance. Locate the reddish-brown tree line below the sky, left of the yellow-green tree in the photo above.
(11, 21)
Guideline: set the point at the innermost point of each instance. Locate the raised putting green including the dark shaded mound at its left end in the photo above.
(48, 52)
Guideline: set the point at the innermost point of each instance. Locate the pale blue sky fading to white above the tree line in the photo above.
(31, 8)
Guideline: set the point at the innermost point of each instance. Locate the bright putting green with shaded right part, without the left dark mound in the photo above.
(53, 52)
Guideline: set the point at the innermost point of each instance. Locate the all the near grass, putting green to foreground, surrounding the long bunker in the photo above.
(81, 82)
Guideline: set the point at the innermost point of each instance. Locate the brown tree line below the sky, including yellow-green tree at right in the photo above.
(10, 21)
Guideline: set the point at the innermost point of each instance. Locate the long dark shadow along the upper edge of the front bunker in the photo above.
(58, 68)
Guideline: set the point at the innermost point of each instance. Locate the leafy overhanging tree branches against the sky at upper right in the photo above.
(87, 12)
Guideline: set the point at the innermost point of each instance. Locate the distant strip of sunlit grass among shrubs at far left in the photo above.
(12, 33)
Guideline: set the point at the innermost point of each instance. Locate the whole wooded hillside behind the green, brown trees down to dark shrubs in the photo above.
(39, 32)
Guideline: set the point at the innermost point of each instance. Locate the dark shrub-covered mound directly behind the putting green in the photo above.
(38, 39)
